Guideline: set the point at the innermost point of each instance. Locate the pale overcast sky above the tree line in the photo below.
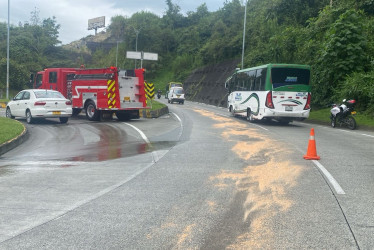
(73, 15)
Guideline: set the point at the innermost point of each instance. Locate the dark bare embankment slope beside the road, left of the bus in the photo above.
(207, 85)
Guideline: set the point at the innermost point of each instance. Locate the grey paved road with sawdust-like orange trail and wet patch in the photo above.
(194, 179)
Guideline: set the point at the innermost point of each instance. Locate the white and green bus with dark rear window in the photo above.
(273, 91)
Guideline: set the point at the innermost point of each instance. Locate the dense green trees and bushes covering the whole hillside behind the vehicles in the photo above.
(337, 41)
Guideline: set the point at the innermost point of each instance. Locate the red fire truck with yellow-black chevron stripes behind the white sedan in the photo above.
(100, 92)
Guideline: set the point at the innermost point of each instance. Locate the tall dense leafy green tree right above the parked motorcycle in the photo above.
(344, 50)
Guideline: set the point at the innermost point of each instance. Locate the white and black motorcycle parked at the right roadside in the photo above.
(343, 114)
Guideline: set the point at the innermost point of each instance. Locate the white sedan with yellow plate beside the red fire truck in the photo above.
(39, 103)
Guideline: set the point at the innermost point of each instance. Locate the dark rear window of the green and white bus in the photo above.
(289, 76)
